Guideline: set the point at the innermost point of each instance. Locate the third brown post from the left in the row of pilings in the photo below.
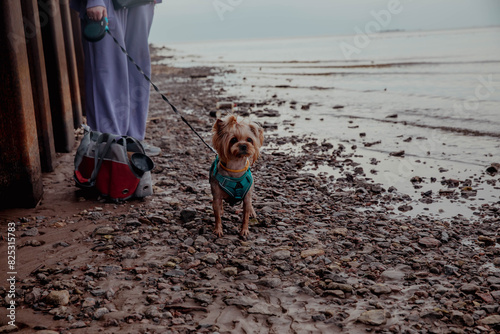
(57, 74)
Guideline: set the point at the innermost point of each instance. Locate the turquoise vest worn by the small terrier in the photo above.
(235, 187)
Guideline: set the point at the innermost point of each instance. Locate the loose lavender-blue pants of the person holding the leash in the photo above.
(117, 95)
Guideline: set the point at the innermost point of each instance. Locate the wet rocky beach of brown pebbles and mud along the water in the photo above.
(328, 252)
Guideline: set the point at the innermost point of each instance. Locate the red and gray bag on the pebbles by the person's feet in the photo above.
(116, 166)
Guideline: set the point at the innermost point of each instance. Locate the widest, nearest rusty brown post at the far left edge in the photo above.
(20, 172)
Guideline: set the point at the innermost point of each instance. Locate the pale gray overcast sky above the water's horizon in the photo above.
(201, 20)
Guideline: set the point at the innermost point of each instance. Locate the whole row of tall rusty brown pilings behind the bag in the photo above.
(41, 93)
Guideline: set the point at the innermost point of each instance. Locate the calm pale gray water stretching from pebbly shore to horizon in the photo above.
(433, 94)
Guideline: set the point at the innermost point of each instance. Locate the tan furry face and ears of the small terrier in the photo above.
(233, 139)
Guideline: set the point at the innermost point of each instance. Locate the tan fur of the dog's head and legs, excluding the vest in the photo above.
(235, 142)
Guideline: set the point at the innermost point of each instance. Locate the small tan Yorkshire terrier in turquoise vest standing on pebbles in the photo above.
(237, 144)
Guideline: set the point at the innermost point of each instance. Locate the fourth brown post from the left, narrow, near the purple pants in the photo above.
(70, 57)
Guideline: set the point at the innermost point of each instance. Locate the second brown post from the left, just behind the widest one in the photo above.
(39, 88)
